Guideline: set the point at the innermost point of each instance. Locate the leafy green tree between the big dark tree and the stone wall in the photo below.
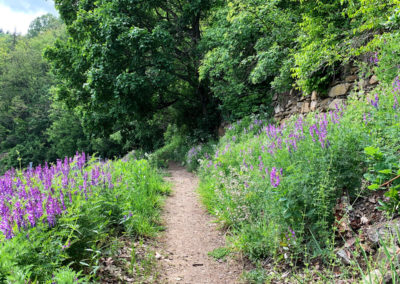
(247, 48)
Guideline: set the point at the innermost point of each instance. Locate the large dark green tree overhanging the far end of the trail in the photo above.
(127, 61)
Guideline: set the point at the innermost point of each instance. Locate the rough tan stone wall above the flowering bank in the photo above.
(294, 102)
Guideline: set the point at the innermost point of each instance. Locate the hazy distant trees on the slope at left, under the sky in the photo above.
(33, 126)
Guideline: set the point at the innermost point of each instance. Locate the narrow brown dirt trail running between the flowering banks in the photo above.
(189, 236)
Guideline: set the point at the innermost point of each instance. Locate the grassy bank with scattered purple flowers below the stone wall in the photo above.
(276, 186)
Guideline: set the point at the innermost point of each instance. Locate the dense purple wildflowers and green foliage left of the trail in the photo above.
(58, 220)
